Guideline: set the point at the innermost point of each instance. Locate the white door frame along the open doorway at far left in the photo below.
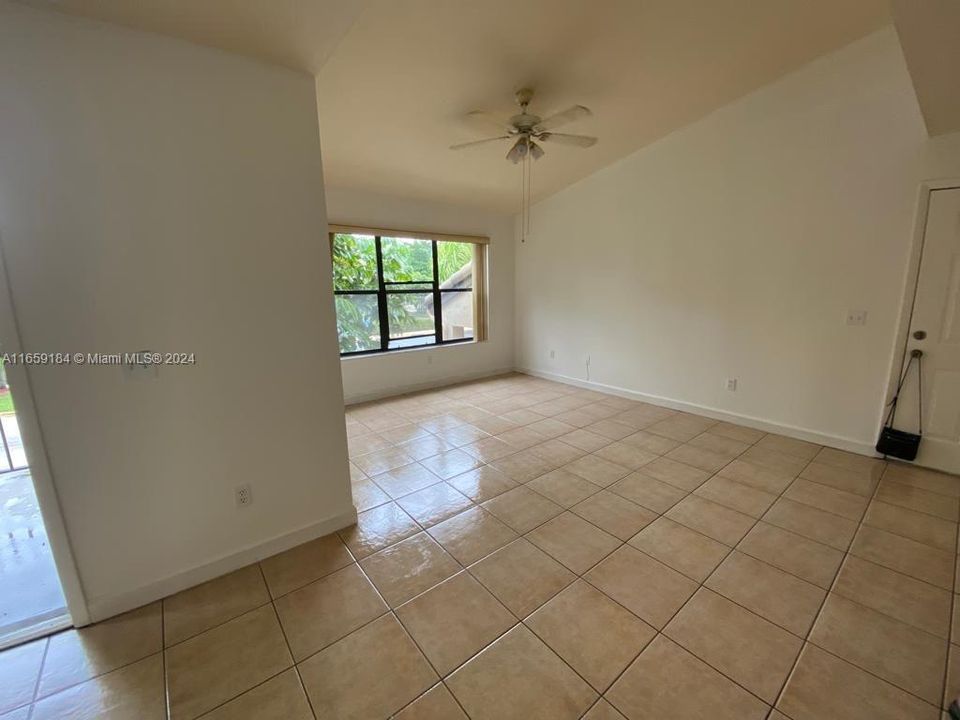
(37, 458)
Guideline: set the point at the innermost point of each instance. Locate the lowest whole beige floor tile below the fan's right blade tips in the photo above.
(597, 637)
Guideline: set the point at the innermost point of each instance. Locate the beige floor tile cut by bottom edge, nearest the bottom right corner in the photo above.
(824, 686)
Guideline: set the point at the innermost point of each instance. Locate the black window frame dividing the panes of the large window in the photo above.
(383, 292)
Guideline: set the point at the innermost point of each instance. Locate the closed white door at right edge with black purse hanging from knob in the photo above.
(935, 329)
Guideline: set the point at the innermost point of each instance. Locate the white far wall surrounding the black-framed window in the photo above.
(373, 376)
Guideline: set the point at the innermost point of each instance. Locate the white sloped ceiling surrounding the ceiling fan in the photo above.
(396, 77)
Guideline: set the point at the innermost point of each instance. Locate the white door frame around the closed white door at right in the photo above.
(910, 286)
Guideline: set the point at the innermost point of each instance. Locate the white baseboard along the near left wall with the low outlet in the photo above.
(106, 607)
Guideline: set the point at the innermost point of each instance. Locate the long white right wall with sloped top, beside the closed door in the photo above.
(734, 248)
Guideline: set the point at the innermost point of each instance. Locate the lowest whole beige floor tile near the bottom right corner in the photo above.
(904, 656)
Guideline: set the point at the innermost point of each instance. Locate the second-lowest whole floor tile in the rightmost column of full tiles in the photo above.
(912, 601)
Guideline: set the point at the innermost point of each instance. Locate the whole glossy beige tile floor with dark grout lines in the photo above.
(531, 550)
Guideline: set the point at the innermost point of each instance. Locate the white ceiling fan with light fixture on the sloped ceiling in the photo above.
(527, 129)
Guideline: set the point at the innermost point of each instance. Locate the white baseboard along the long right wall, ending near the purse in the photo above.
(834, 441)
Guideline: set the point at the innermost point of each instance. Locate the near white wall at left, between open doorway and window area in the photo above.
(160, 195)
